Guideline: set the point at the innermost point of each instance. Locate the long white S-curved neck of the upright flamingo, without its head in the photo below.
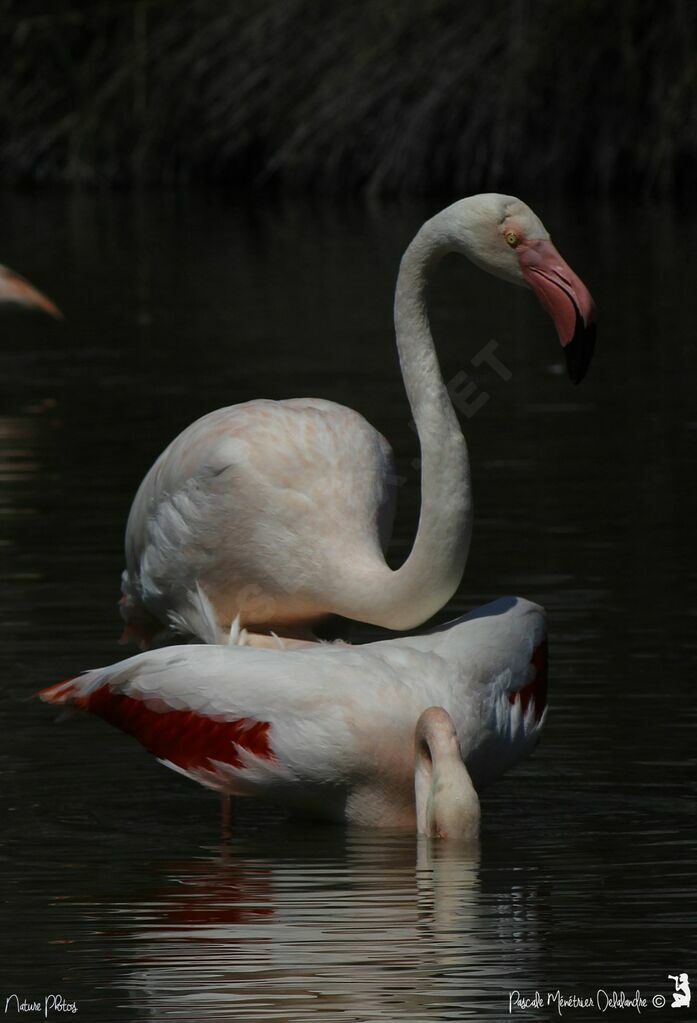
(429, 577)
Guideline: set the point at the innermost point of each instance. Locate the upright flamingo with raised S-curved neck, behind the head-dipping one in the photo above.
(280, 512)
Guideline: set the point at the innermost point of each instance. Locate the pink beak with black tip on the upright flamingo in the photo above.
(567, 299)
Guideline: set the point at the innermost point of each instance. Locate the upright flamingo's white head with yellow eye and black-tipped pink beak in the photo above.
(504, 237)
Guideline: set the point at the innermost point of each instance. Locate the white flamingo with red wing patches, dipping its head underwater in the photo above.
(330, 731)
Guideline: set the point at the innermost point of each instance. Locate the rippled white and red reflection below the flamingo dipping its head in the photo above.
(377, 929)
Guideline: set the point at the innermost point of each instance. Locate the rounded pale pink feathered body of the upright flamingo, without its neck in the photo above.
(257, 505)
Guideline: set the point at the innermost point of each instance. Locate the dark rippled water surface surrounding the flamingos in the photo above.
(121, 894)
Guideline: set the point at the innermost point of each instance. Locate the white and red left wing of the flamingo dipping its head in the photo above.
(242, 720)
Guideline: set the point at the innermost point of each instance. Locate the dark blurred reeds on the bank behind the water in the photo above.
(379, 97)
